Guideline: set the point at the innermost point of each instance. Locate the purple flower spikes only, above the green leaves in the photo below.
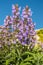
(19, 26)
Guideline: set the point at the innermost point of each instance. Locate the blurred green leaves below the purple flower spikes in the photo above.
(17, 54)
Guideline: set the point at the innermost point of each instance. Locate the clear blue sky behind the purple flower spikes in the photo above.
(35, 5)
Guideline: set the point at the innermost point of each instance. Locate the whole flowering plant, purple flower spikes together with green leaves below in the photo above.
(17, 39)
